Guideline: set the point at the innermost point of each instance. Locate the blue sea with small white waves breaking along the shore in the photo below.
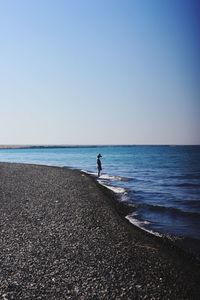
(160, 183)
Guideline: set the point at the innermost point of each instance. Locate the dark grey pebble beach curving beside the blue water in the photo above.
(63, 236)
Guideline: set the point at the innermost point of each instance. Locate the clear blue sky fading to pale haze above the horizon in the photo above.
(99, 72)
